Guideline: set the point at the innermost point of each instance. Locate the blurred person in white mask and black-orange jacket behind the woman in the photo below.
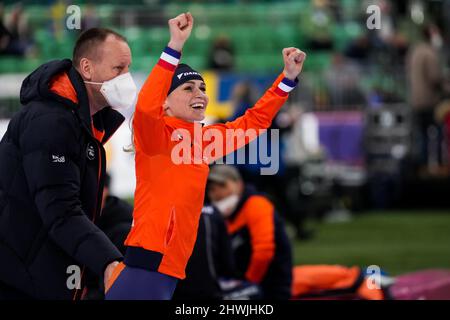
(260, 245)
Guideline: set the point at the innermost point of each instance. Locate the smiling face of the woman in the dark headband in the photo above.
(188, 101)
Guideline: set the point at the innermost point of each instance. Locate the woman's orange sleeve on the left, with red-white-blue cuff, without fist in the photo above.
(150, 132)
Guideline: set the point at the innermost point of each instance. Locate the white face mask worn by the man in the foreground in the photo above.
(120, 92)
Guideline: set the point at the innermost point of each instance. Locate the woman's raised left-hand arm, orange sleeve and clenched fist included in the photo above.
(150, 134)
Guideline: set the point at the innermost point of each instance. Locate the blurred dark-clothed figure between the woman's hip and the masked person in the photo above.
(211, 259)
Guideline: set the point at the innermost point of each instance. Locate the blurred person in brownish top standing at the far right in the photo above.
(425, 79)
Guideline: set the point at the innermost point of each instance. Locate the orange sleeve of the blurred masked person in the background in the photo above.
(261, 224)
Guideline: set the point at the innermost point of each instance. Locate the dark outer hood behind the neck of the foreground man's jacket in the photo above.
(36, 85)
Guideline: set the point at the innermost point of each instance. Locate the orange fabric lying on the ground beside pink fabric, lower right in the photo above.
(310, 278)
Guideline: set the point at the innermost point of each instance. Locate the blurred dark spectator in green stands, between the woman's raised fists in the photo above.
(221, 57)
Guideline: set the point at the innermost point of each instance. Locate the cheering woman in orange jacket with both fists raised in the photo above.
(172, 168)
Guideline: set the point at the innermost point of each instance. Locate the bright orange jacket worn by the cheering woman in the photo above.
(166, 191)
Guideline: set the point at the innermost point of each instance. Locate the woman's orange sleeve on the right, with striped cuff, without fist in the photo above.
(259, 117)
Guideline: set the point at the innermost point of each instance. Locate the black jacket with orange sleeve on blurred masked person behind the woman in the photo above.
(260, 245)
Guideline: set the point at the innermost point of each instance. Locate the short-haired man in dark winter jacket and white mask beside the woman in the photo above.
(52, 164)
